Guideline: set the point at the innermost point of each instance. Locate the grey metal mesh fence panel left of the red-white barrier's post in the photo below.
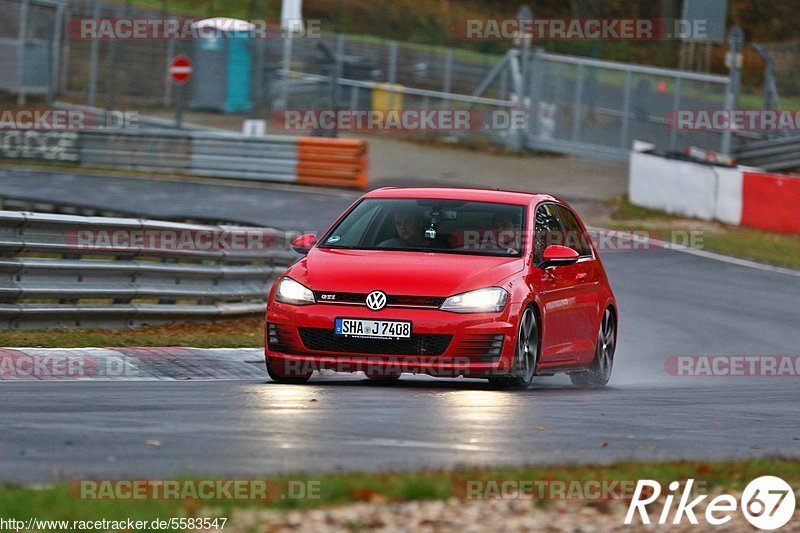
(595, 107)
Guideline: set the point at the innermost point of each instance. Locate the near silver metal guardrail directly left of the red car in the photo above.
(48, 280)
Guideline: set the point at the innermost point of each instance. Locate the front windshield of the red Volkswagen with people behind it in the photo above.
(431, 225)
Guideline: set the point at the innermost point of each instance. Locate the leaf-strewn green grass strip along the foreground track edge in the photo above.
(55, 502)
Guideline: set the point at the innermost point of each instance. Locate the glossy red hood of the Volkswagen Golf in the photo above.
(401, 273)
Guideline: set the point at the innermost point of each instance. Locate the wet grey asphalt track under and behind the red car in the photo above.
(671, 303)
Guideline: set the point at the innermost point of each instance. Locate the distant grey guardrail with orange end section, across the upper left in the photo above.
(307, 160)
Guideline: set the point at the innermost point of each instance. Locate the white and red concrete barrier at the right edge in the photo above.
(737, 196)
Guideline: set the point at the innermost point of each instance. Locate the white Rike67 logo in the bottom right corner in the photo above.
(768, 503)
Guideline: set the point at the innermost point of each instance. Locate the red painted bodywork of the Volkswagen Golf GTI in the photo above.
(569, 300)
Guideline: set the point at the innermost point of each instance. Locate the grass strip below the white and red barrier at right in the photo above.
(780, 249)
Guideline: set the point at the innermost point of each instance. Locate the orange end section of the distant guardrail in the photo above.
(338, 162)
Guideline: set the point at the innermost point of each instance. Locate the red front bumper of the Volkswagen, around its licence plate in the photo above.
(444, 344)
